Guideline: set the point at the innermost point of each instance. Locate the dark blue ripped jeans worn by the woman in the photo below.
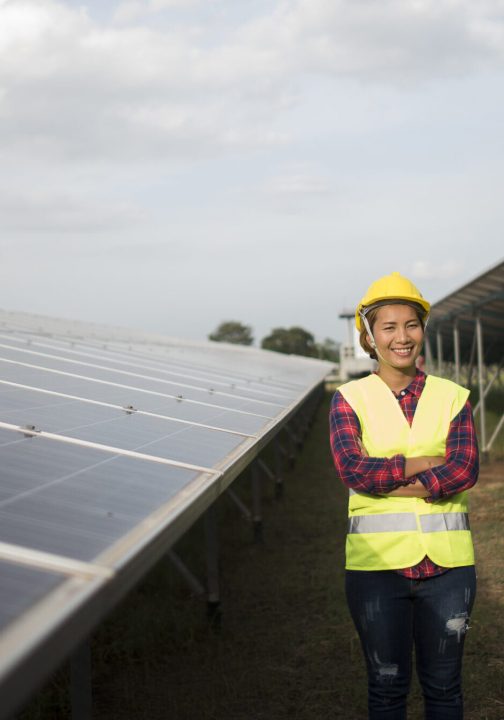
(392, 613)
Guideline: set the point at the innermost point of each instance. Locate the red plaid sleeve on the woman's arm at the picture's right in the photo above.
(460, 471)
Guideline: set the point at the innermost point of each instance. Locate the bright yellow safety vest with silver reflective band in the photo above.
(388, 533)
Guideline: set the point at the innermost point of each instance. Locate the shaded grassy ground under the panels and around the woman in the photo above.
(286, 647)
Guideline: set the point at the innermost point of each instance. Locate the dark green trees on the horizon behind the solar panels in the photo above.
(290, 341)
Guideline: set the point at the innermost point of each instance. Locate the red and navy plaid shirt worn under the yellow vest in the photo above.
(381, 475)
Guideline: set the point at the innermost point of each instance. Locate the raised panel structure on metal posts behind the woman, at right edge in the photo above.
(468, 327)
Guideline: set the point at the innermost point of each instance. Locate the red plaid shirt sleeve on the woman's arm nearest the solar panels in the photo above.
(357, 471)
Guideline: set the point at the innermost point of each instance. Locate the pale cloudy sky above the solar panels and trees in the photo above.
(170, 164)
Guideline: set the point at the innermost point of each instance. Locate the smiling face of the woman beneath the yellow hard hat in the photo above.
(398, 334)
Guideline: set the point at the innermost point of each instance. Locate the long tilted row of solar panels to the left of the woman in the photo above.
(112, 443)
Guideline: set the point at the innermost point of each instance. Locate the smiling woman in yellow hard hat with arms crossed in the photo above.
(405, 446)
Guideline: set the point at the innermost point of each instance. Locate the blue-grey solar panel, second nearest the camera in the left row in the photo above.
(76, 501)
